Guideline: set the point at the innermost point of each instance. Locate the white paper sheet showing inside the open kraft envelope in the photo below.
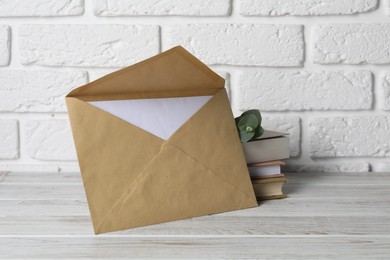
(159, 116)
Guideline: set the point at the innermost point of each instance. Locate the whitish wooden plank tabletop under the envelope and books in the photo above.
(328, 215)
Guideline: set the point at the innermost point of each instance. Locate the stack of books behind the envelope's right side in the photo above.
(263, 157)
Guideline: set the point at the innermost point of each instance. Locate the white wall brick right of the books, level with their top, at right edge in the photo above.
(350, 136)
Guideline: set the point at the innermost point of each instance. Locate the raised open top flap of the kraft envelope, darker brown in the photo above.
(170, 72)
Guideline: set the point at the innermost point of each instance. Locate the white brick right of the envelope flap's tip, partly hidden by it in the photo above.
(269, 45)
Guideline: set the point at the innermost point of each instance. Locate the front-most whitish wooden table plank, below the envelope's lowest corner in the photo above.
(196, 248)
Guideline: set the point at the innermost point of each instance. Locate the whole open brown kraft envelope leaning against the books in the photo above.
(182, 159)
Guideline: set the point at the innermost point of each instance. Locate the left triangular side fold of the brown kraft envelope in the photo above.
(111, 154)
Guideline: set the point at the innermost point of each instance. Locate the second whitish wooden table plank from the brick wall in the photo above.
(304, 190)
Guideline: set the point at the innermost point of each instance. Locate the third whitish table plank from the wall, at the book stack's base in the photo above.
(284, 207)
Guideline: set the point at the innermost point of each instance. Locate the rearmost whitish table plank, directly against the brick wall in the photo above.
(296, 177)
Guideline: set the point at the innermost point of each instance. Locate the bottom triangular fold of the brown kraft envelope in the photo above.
(183, 188)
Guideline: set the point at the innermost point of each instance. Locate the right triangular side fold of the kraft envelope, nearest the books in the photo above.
(211, 138)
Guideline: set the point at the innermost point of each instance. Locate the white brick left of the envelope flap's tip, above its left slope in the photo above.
(87, 45)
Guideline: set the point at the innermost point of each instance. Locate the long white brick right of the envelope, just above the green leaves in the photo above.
(302, 90)
